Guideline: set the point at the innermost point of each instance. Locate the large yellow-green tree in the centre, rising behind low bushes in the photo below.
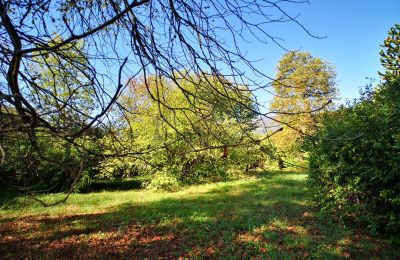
(168, 135)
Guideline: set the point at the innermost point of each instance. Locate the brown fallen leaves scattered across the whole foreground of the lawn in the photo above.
(102, 235)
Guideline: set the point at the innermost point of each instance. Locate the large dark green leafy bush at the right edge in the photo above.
(355, 158)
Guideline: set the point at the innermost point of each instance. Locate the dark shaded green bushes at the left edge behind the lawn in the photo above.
(52, 165)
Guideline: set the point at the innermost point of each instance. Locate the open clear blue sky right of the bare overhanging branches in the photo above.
(354, 31)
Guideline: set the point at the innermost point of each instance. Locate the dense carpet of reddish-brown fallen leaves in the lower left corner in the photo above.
(56, 237)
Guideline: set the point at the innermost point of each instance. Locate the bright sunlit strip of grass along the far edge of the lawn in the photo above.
(103, 201)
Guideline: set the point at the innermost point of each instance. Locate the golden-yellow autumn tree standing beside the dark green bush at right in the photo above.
(304, 87)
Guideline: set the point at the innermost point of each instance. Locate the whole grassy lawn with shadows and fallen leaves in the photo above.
(268, 216)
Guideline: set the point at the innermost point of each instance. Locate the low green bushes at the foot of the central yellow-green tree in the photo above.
(206, 167)
